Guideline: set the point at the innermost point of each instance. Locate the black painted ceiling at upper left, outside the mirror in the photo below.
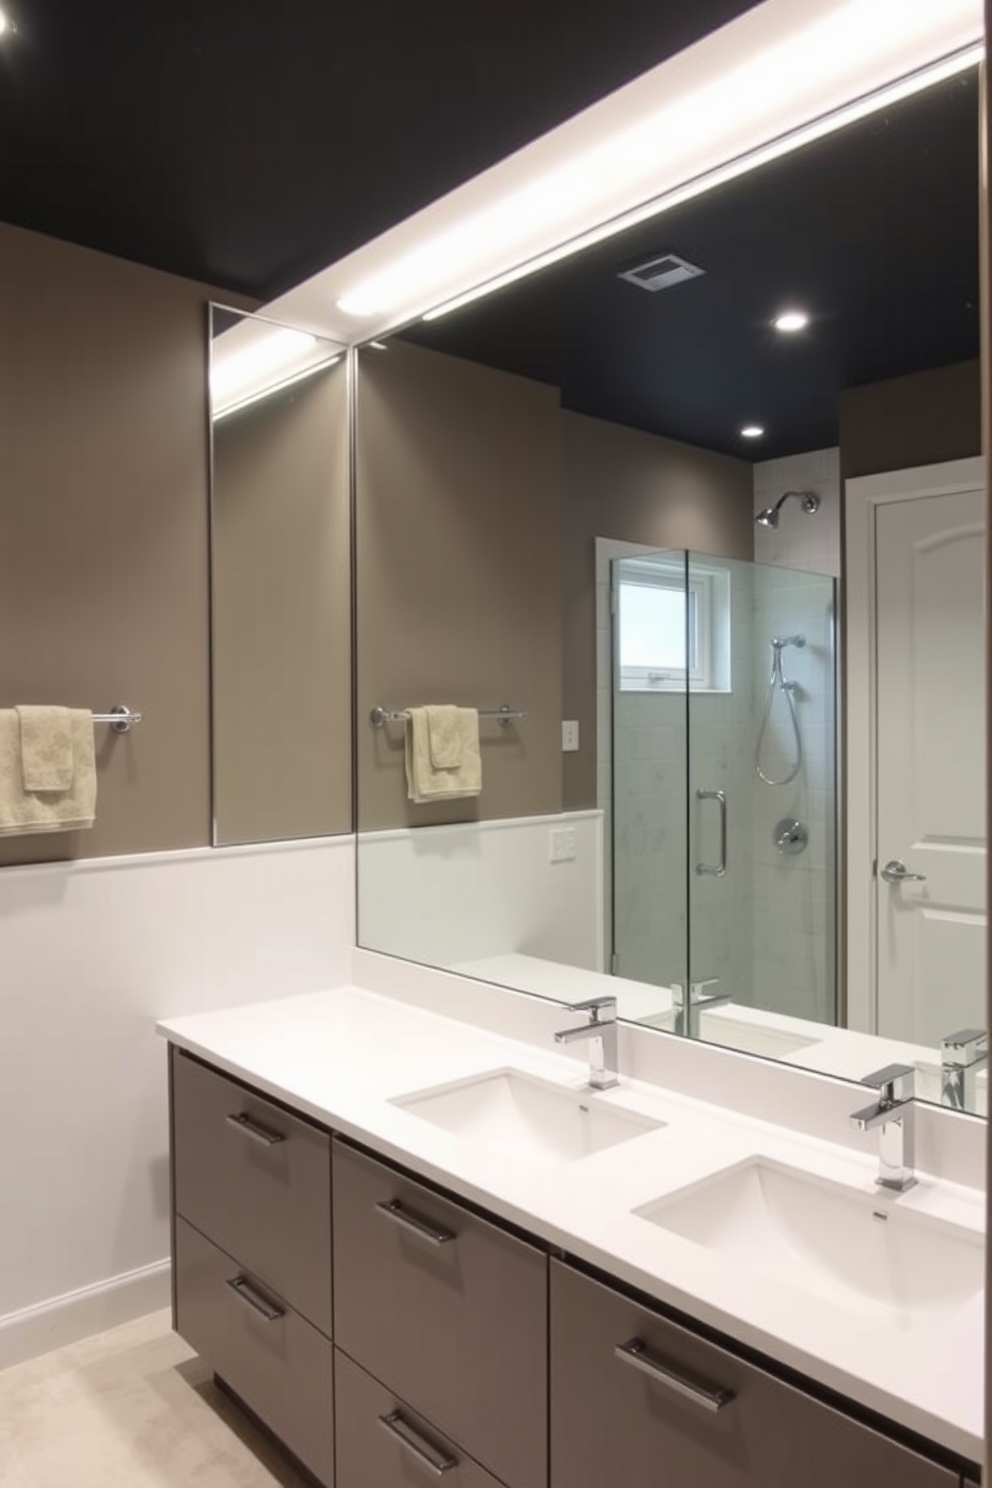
(249, 144)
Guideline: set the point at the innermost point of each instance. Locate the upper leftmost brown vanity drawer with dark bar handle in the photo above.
(257, 1181)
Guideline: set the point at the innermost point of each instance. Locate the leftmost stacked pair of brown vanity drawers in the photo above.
(252, 1254)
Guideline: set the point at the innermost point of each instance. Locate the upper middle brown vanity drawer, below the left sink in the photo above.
(447, 1310)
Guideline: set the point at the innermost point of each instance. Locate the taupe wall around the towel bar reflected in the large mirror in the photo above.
(459, 587)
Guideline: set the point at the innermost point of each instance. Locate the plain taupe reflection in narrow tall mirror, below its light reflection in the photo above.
(282, 572)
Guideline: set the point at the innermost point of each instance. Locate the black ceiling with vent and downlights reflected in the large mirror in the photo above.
(875, 231)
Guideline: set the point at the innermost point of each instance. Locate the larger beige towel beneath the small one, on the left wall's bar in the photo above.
(25, 812)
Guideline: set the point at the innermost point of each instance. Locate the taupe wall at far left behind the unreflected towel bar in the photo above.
(103, 529)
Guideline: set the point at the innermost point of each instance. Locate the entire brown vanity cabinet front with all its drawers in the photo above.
(460, 1349)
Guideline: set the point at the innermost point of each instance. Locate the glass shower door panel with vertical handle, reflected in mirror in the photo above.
(762, 807)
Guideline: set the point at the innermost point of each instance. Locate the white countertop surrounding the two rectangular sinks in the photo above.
(346, 1056)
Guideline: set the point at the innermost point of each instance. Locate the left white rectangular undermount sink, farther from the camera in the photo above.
(527, 1118)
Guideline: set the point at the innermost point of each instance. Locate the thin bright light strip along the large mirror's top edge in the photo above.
(795, 141)
